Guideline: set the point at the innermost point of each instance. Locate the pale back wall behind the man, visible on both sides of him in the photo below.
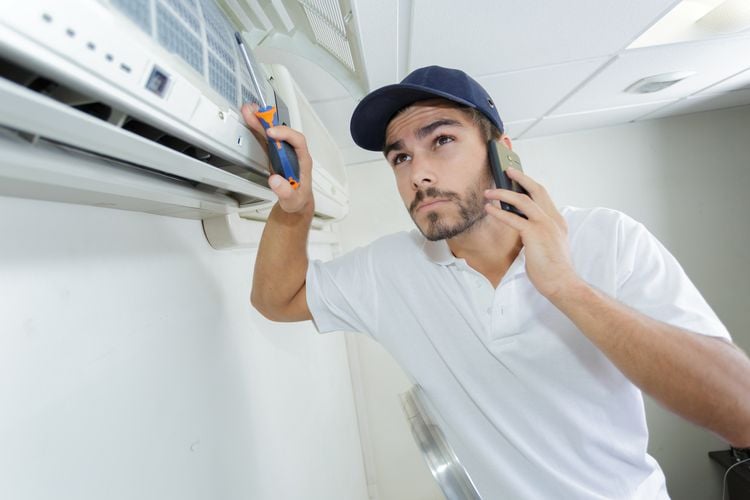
(687, 178)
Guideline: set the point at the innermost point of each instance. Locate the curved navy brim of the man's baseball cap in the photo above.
(372, 115)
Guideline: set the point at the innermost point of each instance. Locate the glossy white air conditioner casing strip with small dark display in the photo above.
(118, 70)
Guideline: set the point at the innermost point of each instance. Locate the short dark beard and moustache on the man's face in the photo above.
(470, 210)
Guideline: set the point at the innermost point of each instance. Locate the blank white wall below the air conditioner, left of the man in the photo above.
(132, 366)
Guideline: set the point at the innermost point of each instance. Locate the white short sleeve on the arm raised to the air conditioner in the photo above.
(341, 293)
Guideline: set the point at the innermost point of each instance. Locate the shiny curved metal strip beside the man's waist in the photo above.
(442, 461)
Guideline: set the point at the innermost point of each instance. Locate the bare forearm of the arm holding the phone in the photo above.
(703, 379)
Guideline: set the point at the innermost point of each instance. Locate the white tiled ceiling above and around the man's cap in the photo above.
(552, 67)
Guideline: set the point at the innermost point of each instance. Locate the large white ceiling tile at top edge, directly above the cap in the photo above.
(488, 36)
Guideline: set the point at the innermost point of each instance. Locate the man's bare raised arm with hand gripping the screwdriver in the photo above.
(281, 263)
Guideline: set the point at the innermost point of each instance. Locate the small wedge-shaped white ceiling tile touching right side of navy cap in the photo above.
(522, 95)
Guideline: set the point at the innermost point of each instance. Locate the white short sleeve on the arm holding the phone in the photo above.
(650, 280)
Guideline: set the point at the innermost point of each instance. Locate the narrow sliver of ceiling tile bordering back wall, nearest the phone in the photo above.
(601, 118)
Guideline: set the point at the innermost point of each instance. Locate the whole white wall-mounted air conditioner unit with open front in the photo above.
(134, 104)
